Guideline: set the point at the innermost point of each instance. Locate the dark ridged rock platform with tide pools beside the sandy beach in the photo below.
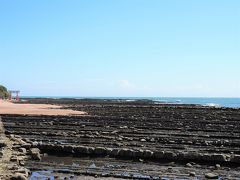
(123, 140)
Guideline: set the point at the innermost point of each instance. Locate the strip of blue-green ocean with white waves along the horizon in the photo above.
(218, 102)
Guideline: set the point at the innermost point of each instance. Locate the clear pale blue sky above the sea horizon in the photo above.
(121, 47)
